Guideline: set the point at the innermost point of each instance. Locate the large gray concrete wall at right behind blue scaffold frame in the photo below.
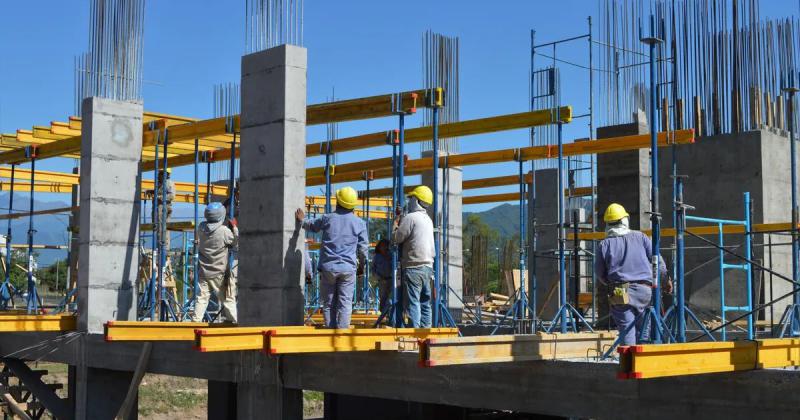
(720, 169)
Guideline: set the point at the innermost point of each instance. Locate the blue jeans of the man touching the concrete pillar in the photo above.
(336, 293)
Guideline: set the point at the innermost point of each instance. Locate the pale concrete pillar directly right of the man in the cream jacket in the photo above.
(452, 257)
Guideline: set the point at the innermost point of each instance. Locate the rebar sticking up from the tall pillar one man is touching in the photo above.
(269, 23)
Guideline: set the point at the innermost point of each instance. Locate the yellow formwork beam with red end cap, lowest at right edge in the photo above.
(680, 359)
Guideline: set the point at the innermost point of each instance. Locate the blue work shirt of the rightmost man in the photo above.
(626, 258)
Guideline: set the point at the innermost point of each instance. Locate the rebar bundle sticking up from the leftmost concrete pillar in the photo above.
(113, 66)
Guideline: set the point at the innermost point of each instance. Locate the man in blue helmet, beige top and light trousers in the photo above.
(215, 242)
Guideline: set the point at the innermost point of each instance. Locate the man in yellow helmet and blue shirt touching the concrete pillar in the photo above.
(342, 255)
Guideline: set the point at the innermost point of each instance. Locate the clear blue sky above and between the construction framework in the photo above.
(358, 47)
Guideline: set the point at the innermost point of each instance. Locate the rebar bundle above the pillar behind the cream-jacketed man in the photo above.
(440, 61)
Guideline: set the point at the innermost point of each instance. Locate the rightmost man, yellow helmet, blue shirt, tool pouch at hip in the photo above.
(623, 263)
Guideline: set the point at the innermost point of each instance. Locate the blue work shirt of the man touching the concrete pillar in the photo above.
(344, 240)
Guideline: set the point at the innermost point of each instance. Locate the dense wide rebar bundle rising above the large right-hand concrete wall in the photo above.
(721, 68)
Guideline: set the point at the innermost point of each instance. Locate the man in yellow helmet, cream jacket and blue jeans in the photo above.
(413, 230)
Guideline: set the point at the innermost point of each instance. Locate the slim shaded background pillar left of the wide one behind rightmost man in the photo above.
(543, 263)
